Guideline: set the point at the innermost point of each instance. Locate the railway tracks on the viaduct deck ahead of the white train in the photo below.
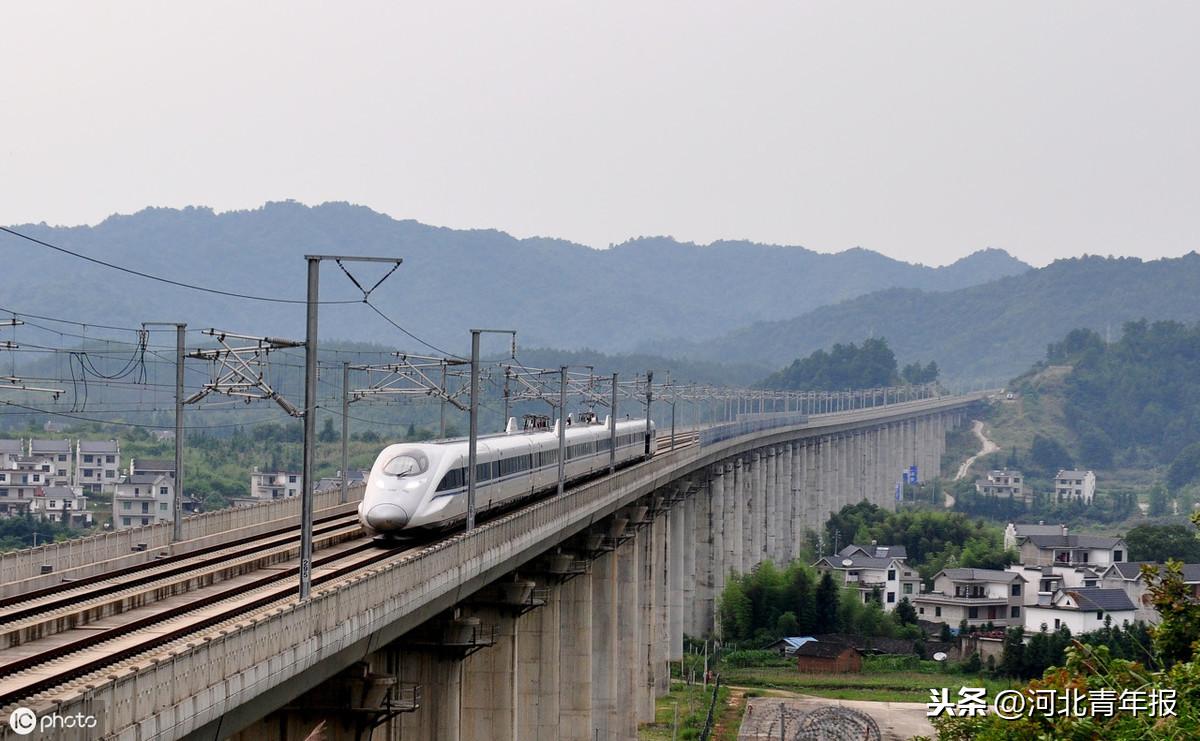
(53, 636)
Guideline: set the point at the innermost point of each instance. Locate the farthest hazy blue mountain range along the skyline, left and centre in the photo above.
(555, 293)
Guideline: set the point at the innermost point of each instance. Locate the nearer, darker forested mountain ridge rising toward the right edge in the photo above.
(989, 333)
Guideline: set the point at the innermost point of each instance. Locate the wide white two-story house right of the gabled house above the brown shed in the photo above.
(976, 595)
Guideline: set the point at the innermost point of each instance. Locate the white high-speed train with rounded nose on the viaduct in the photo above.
(424, 485)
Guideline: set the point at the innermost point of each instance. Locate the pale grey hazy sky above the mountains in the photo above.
(921, 130)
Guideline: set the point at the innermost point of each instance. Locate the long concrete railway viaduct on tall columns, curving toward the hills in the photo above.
(555, 622)
